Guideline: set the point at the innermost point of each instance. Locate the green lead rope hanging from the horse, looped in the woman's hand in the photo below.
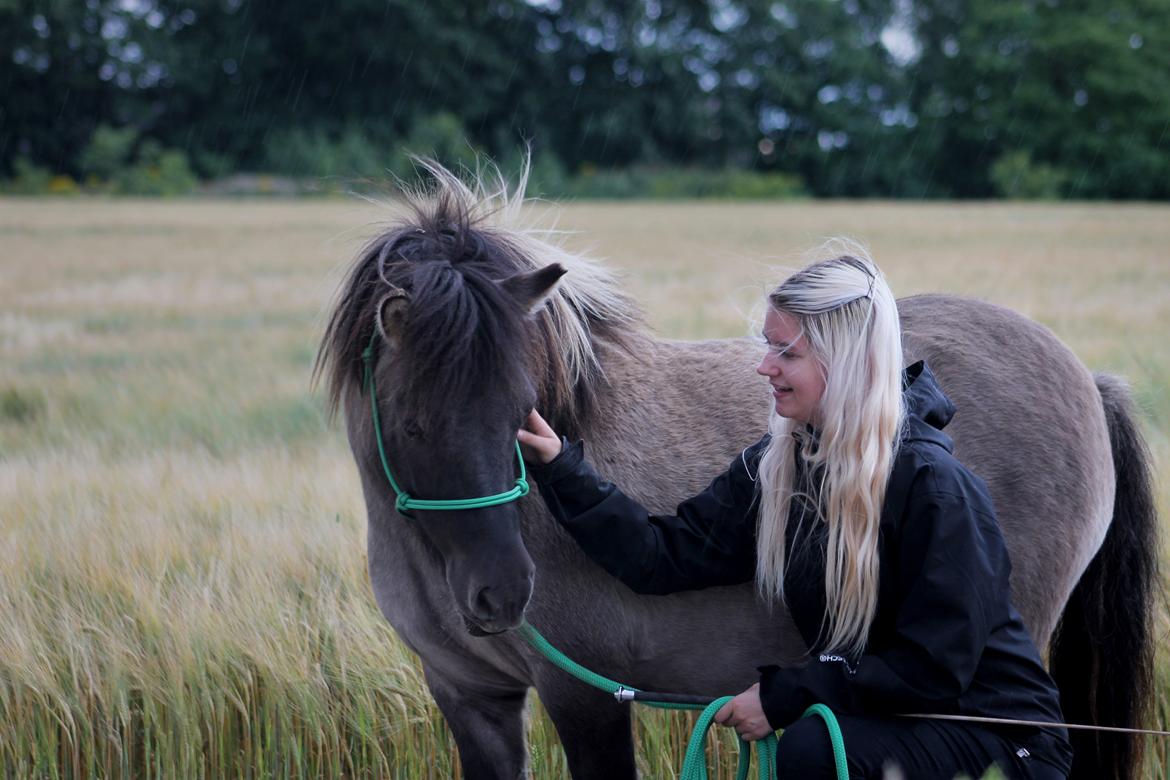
(694, 767)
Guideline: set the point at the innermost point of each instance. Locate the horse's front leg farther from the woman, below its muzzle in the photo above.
(488, 727)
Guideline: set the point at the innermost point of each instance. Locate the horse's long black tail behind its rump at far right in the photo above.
(1103, 653)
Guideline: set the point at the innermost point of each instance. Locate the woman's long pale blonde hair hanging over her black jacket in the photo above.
(850, 321)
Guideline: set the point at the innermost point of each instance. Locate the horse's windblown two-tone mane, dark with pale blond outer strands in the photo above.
(452, 246)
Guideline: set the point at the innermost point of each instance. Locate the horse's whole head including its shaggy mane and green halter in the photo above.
(446, 334)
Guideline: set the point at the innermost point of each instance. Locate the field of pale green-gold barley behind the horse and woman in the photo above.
(183, 586)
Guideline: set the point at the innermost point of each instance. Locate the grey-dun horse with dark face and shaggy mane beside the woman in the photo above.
(472, 316)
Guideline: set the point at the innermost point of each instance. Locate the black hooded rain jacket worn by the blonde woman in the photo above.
(946, 637)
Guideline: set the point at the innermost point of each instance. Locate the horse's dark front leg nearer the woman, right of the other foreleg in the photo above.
(593, 727)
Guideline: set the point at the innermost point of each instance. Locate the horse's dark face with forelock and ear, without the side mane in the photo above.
(451, 348)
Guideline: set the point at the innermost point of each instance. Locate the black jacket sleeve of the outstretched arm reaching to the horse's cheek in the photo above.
(708, 541)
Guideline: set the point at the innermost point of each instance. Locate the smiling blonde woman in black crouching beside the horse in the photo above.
(855, 514)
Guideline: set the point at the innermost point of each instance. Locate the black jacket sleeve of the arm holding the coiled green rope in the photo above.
(952, 591)
